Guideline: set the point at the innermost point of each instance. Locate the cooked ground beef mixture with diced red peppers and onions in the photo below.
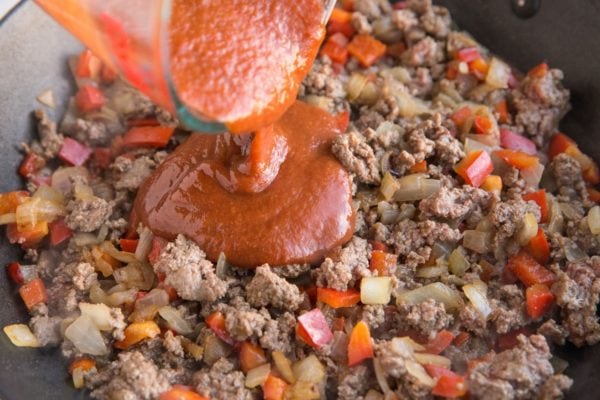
(475, 251)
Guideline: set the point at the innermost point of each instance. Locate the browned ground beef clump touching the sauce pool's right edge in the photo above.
(357, 156)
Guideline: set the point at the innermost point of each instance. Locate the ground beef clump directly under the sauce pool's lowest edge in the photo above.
(266, 288)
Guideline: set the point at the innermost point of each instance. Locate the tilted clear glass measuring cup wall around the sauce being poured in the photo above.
(129, 37)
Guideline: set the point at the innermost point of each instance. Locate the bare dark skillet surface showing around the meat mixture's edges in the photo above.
(33, 53)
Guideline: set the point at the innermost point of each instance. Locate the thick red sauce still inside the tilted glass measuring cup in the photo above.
(241, 62)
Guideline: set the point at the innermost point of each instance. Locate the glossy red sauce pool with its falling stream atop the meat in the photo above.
(303, 211)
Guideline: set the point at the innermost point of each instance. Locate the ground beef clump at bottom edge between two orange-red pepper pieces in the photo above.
(222, 382)
